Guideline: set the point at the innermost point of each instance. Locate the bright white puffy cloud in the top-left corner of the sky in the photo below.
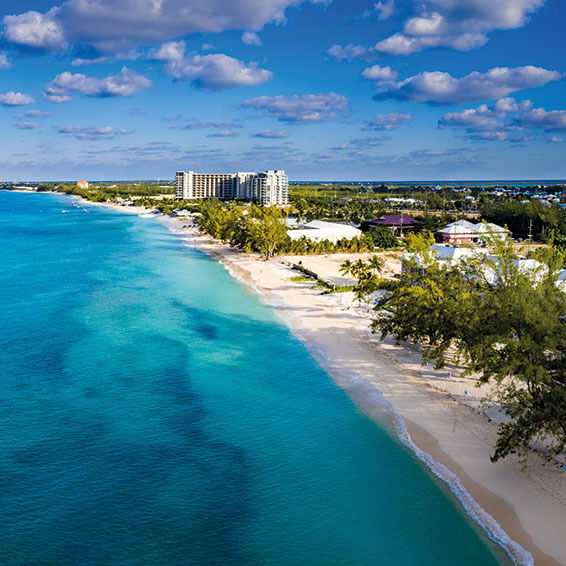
(33, 29)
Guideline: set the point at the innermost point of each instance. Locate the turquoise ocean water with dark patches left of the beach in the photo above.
(153, 411)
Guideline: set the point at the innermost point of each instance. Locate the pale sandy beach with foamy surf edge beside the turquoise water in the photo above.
(523, 509)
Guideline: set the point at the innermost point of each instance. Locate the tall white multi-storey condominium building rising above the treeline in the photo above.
(271, 187)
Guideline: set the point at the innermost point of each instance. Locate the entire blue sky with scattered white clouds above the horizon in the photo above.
(336, 89)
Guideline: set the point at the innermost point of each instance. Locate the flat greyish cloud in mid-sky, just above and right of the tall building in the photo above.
(300, 108)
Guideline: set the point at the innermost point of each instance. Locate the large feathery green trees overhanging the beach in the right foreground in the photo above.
(512, 333)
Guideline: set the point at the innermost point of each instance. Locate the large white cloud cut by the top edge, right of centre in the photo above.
(446, 23)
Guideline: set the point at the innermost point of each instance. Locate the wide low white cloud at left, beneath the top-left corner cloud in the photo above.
(124, 83)
